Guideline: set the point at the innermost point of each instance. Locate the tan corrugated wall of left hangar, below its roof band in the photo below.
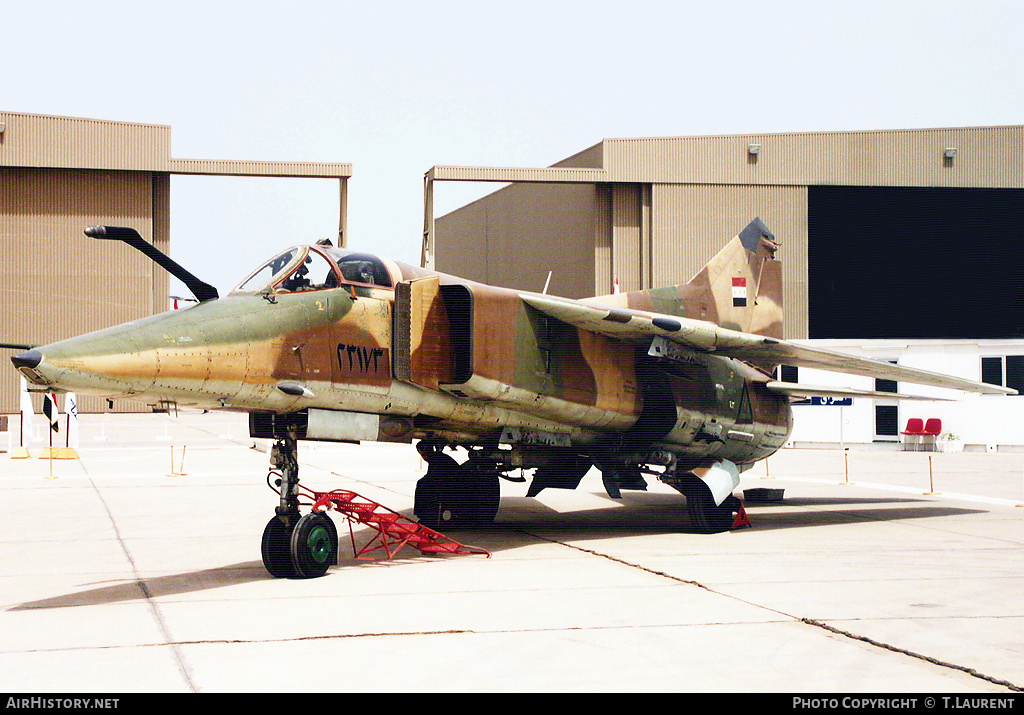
(56, 282)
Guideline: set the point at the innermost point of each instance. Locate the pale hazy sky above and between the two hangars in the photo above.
(397, 88)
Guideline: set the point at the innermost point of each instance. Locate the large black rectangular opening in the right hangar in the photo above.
(916, 263)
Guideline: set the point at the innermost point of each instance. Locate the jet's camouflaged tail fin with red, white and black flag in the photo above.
(741, 288)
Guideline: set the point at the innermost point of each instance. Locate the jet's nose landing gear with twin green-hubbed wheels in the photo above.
(296, 546)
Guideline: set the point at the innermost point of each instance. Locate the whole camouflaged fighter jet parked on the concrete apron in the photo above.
(330, 345)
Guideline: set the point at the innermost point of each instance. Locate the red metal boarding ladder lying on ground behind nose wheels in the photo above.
(395, 531)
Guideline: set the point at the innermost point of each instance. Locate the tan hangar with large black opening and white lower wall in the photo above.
(905, 245)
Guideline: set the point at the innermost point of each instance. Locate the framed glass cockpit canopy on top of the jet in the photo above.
(316, 269)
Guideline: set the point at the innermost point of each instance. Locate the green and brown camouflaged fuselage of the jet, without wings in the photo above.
(430, 356)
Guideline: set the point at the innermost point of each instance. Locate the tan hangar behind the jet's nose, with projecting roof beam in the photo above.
(60, 175)
